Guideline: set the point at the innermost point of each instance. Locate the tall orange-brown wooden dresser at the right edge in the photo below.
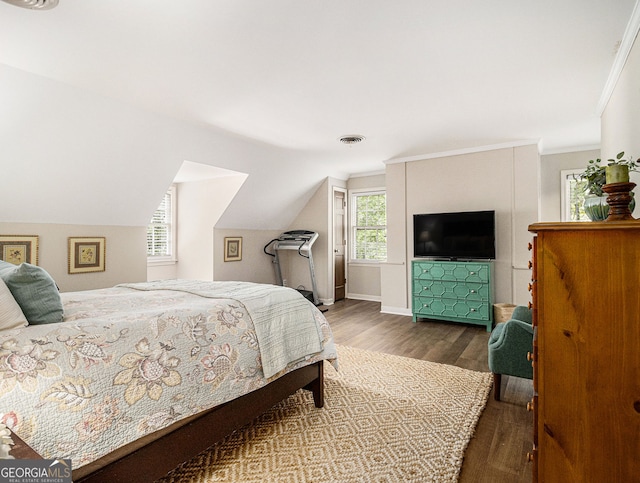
(586, 352)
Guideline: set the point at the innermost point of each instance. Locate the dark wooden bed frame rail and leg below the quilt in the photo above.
(158, 457)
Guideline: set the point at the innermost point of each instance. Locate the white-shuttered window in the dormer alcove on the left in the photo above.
(161, 241)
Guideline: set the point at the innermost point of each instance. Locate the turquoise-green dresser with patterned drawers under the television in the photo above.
(453, 291)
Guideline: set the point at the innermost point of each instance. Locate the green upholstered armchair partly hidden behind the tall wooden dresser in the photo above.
(509, 344)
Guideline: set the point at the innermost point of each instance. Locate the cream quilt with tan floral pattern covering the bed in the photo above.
(126, 362)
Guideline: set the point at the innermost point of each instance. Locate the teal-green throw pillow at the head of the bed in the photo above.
(34, 290)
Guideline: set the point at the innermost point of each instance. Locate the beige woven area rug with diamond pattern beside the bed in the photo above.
(386, 419)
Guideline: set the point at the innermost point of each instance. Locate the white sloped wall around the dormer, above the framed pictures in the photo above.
(97, 161)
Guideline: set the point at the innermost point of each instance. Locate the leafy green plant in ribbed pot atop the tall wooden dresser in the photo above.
(596, 175)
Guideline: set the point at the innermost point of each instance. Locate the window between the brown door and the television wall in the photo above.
(369, 226)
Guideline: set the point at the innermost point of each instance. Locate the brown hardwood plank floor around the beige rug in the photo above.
(497, 452)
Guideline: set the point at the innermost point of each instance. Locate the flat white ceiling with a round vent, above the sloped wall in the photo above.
(415, 77)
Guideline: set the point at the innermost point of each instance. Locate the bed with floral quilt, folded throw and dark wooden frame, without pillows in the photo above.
(138, 378)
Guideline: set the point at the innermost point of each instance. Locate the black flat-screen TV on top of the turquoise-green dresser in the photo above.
(467, 235)
